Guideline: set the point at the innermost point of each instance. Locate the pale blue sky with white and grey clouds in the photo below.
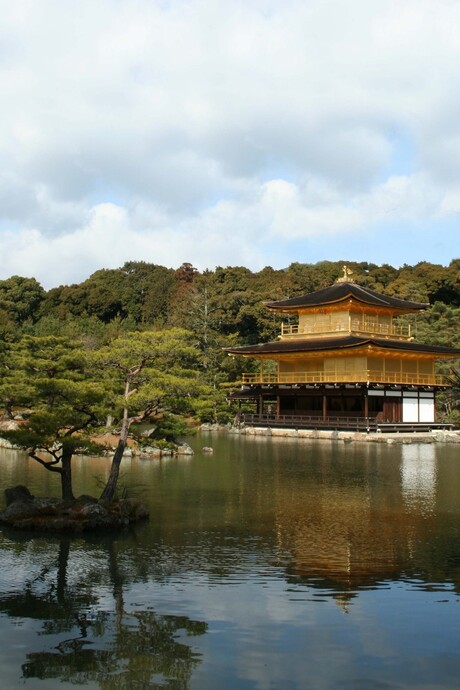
(227, 132)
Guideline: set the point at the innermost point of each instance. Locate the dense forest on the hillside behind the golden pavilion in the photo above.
(217, 308)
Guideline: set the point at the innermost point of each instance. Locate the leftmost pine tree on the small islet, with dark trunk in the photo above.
(53, 377)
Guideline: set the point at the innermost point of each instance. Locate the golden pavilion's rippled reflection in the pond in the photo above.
(355, 536)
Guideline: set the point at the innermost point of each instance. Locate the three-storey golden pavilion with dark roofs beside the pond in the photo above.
(344, 360)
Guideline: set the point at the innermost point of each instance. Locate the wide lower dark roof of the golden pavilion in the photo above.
(350, 341)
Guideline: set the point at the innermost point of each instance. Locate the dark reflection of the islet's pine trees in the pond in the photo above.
(86, 641)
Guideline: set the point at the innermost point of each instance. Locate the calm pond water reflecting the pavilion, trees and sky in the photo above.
(269, 565)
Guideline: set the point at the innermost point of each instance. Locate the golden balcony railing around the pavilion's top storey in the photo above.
(355, 326)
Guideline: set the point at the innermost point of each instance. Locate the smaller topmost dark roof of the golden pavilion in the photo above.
(340, 292)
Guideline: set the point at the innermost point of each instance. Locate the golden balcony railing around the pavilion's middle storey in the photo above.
(363, 376)
